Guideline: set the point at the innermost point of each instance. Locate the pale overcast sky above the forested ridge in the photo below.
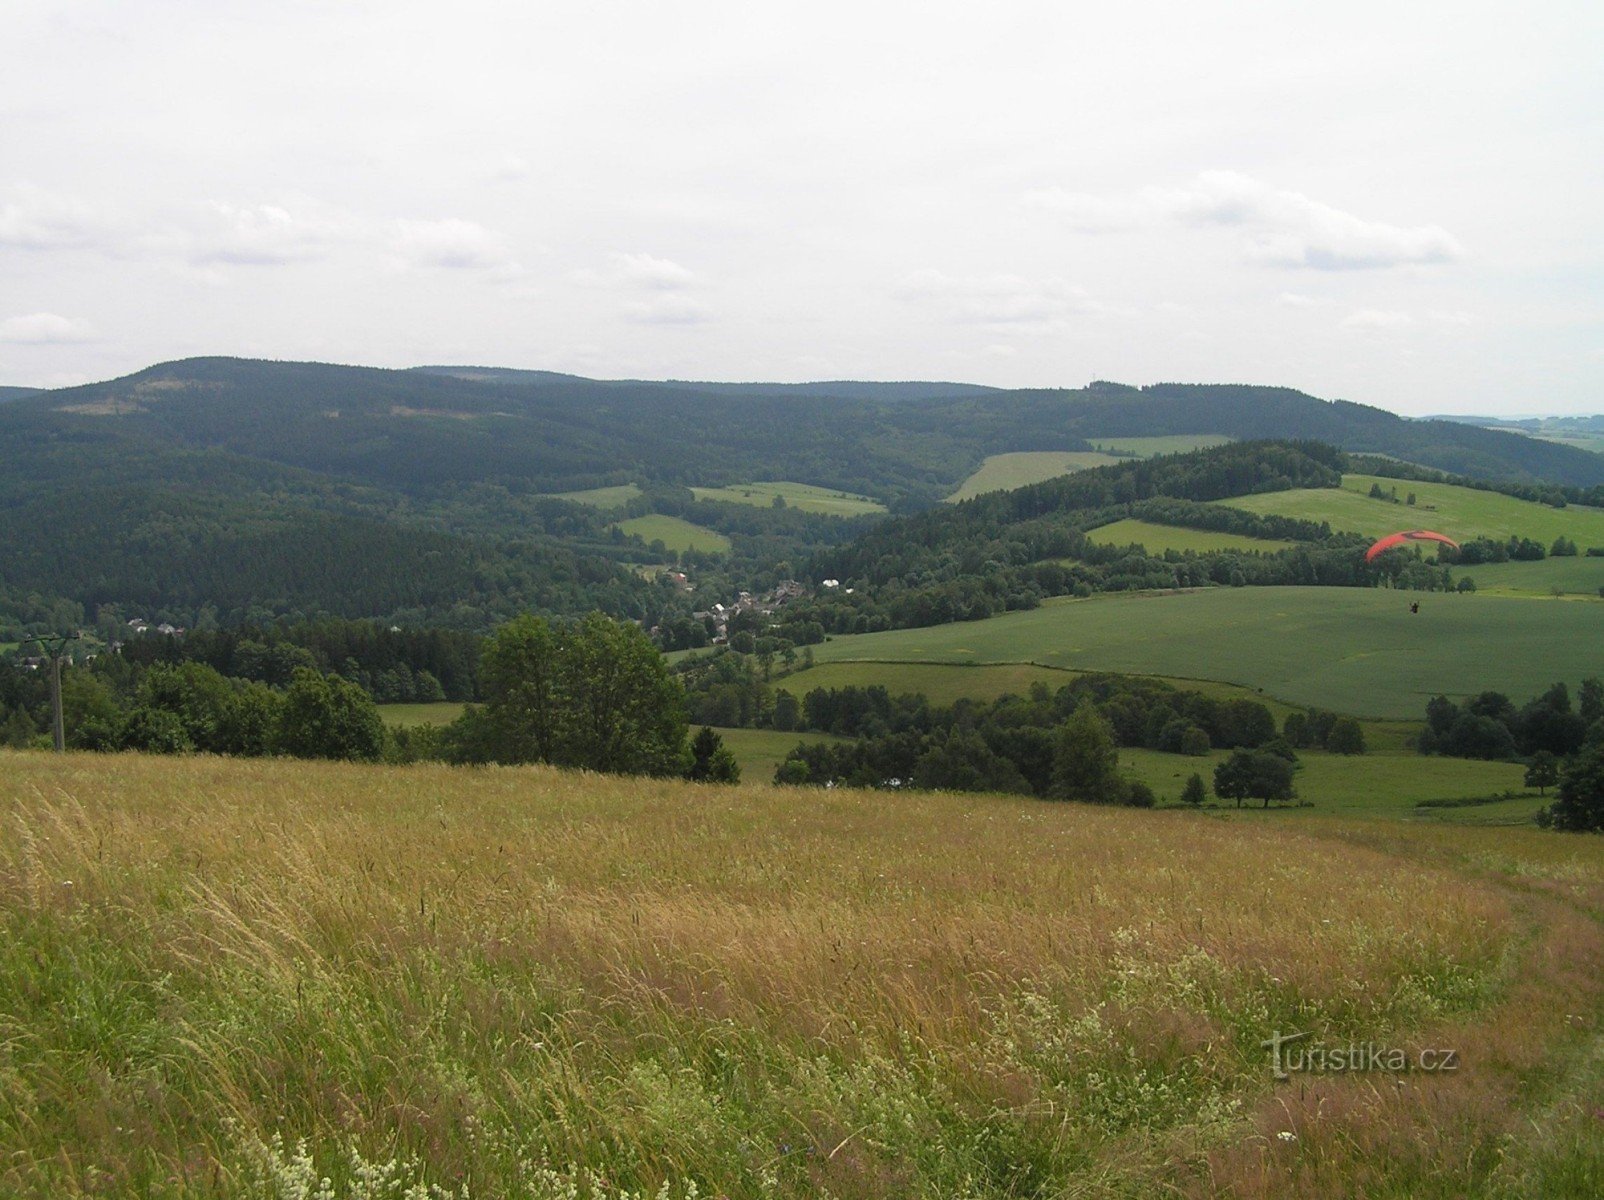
(1388, 203)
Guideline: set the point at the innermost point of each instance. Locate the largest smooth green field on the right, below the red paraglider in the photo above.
(1347, 649)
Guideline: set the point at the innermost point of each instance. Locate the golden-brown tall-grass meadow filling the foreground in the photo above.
(232, 979)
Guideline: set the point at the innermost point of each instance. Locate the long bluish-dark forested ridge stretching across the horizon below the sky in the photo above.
(434, 431)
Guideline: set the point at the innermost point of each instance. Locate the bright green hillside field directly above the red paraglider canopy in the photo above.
(1459, 513)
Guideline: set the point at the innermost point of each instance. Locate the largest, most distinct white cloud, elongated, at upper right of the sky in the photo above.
(1278, 227)
